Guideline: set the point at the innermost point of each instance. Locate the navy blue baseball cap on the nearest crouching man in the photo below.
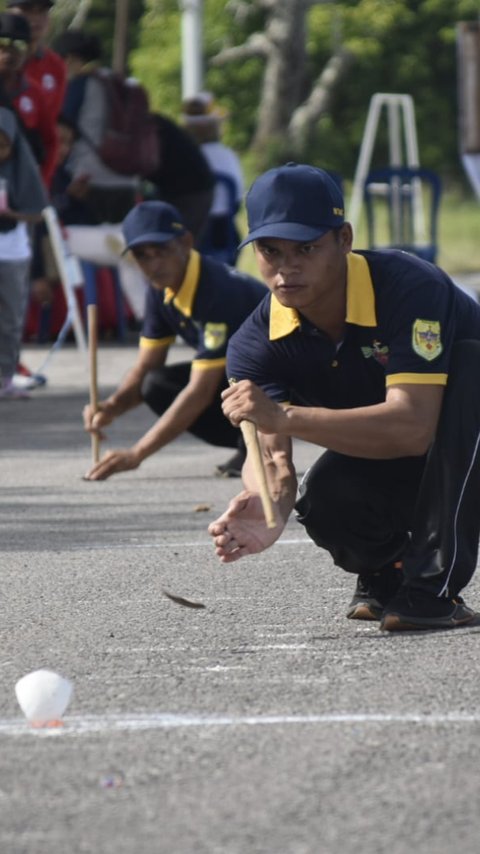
(293, 202)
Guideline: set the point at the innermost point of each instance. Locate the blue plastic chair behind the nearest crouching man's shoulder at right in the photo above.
(390, 196)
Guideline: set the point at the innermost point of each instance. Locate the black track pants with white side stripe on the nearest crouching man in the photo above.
(425, 511)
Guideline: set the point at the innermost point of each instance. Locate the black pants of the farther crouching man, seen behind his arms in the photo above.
(161, 387)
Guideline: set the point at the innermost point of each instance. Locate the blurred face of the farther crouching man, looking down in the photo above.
(164, 264)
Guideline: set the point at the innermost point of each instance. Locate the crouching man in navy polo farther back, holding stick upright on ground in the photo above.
(203, 302)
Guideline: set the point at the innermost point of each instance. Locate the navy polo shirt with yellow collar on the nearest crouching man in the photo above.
(403, 316)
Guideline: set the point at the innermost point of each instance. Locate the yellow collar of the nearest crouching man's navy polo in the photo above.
(360, 302)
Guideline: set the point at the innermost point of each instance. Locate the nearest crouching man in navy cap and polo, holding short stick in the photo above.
(375, 357)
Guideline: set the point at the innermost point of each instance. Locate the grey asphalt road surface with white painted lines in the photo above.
(263, 723)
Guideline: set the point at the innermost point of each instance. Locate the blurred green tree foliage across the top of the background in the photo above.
(399, 46)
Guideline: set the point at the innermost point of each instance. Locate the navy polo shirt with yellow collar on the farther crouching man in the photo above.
(211, 303)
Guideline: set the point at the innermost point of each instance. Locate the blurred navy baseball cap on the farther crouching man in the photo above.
(152, 222)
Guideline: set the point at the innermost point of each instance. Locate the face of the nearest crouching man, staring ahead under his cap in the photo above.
(301, 275)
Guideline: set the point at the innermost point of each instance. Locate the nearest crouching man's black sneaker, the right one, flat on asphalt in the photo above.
(414, 609)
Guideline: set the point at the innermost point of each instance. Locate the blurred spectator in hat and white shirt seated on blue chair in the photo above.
(204, 121)
